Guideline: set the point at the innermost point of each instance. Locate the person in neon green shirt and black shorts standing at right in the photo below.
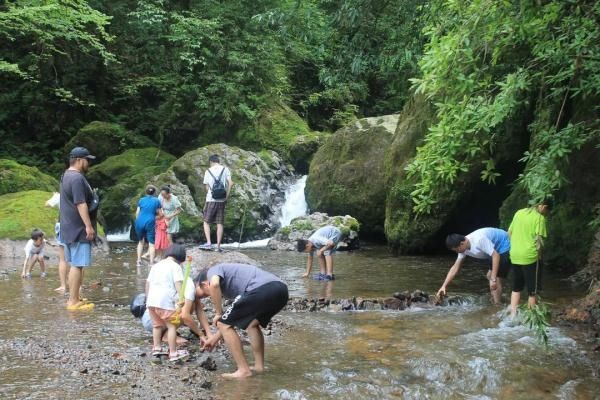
(527, 232)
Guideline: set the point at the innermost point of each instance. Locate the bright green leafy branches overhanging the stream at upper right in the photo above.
(484, 61)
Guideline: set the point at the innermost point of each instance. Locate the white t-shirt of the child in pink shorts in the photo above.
(161, 284)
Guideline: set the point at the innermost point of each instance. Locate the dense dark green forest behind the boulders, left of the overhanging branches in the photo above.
(186, 73)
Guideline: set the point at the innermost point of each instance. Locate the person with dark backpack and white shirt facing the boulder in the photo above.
(217, 179)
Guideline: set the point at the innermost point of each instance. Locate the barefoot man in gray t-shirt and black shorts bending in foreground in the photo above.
(257, 296)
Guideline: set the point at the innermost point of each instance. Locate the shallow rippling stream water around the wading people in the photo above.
(454, 352)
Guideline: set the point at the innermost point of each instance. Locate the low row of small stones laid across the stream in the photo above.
(398, 301)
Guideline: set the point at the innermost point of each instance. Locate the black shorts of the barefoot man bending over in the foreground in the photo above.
(261, 303)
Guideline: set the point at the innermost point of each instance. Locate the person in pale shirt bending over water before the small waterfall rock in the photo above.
(324, 241)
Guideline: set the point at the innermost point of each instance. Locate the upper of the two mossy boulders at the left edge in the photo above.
(15, 177)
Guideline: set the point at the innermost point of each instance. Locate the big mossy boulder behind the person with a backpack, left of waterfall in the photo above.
(258, 192)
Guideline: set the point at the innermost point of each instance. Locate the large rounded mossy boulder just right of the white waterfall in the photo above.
(347, 173)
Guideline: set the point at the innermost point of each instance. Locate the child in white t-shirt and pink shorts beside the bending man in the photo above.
(162, 294)
